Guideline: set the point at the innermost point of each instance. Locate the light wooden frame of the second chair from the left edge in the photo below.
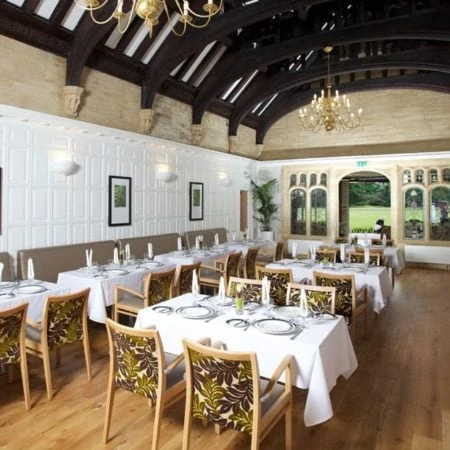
(41, 348)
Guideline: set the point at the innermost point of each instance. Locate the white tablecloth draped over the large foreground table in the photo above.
(322, 352)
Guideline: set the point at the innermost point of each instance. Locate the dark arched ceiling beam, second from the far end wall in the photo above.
(434, 59)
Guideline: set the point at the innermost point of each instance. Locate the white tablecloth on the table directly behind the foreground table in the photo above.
(377, 278)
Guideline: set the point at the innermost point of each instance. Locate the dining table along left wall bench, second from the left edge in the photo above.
(103, 280)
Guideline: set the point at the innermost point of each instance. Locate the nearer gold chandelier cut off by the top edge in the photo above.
(150, 10)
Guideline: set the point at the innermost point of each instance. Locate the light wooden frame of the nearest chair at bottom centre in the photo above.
(262, 424)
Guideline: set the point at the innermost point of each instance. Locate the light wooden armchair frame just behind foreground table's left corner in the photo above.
(133, 309)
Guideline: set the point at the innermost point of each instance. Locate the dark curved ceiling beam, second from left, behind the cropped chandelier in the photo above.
(175, 51)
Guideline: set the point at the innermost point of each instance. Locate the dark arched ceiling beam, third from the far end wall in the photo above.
(236, 64)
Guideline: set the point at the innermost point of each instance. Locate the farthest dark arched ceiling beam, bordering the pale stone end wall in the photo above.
(428, 81)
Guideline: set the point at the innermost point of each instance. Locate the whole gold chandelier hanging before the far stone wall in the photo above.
(328, 111)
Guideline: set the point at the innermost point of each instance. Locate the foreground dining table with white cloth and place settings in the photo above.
(321, 347)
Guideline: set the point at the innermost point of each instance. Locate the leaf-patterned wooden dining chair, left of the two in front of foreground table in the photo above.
(138, 364)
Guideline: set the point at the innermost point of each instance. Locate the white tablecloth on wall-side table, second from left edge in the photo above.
(102, 289)
